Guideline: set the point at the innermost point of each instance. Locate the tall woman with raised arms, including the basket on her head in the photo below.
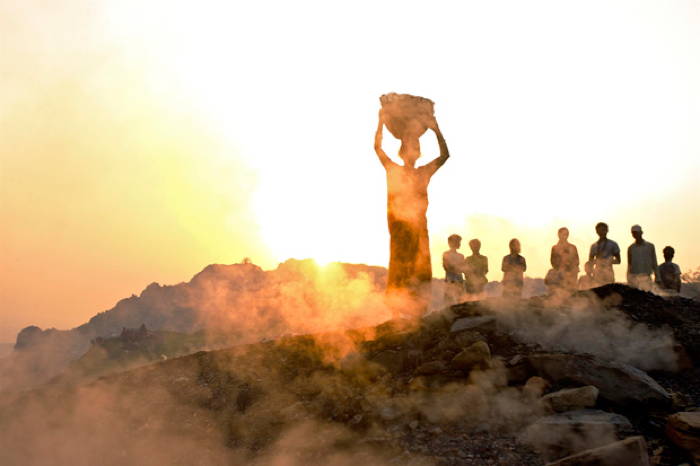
(407, 192)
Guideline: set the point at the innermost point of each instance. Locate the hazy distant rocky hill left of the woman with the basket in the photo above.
(240, 301)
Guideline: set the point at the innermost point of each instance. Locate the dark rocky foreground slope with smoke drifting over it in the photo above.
(478, 383)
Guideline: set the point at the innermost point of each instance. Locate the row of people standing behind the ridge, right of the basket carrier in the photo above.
(468, 275)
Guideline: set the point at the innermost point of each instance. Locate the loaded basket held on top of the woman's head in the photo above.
(405, 115)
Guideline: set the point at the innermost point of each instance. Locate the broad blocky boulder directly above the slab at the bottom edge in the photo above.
(567, 433)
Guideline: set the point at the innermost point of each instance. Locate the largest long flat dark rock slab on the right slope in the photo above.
(617, 382)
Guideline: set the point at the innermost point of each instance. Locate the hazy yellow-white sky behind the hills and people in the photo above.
(141, 141)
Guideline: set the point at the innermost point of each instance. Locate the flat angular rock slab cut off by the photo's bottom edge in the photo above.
(630, 451)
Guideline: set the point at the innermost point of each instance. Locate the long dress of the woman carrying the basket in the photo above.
(407, 205)
